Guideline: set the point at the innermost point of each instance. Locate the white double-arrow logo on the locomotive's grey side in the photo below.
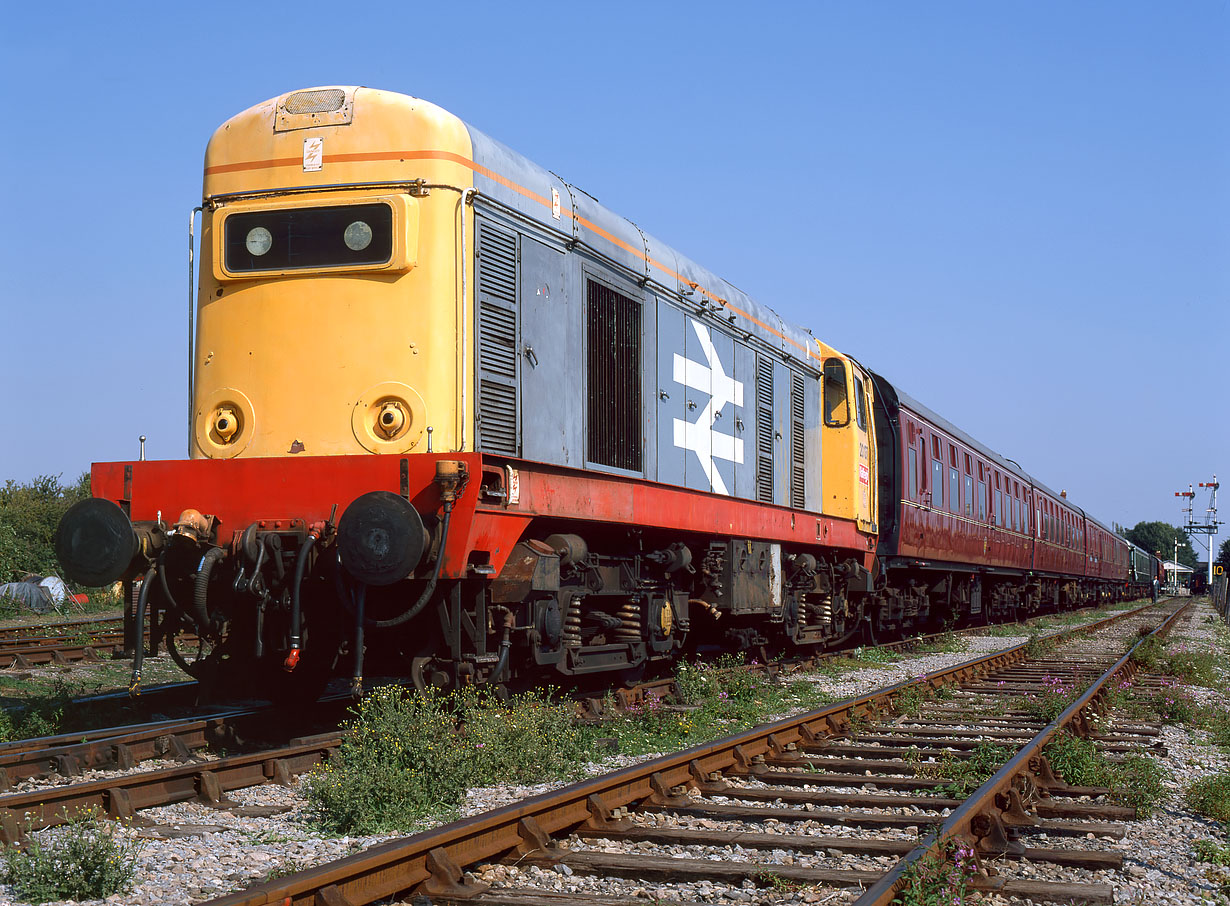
(699, 436)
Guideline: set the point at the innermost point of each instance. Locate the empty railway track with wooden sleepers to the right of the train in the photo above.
(830, 786)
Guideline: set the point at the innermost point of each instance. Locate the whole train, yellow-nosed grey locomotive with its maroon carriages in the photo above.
(454, 420)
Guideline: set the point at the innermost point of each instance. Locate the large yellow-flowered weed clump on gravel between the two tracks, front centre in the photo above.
(408, 757)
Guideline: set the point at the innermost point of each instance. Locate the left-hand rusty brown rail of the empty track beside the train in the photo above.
(432, 862)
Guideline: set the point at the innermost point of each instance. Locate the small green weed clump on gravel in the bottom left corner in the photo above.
(83, 860)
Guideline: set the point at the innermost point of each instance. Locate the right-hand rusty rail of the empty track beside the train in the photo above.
(986, 819)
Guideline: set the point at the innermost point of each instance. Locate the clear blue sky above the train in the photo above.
(1017, 211)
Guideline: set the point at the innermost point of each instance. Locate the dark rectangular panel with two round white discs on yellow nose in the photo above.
(309, 238)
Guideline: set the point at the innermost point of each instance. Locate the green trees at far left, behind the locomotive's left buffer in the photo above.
(29, 517)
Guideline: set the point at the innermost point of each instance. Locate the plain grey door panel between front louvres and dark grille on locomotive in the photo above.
(553, 411)
